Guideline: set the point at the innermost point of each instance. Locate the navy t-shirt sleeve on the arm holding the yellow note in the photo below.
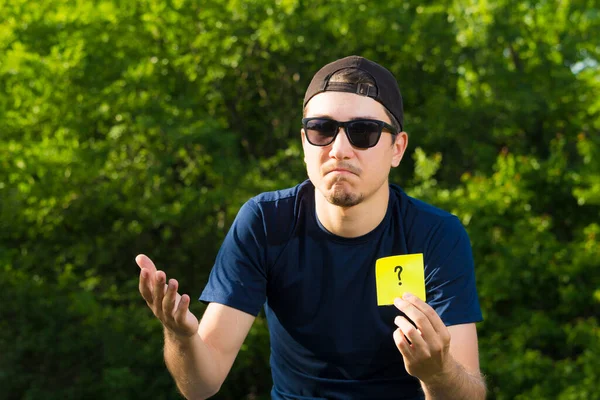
(450, 274)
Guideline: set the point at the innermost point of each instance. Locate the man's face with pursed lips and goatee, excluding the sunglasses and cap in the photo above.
(343, 174)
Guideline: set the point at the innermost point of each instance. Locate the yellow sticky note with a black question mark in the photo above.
(398, 274)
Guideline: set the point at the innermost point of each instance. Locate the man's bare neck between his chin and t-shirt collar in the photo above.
(353, 221)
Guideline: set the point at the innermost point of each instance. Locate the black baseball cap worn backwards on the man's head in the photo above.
(385, 91)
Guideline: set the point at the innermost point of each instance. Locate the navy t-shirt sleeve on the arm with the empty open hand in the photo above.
(238, 278)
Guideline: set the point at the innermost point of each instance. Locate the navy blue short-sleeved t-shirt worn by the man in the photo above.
(329, 339)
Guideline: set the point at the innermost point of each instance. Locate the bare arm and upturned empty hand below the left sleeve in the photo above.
(198, 355)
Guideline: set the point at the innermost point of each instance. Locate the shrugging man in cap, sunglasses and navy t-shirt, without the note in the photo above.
(307, 254)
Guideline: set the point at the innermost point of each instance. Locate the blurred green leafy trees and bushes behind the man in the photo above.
(143, 126)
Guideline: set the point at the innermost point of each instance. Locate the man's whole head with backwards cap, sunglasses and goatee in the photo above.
(350, 163)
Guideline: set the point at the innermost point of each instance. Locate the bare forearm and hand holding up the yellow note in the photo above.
(445, 359)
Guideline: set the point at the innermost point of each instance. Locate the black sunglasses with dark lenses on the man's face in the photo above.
(362, 133)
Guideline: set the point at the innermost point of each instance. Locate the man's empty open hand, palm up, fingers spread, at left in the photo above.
(169, 307)
